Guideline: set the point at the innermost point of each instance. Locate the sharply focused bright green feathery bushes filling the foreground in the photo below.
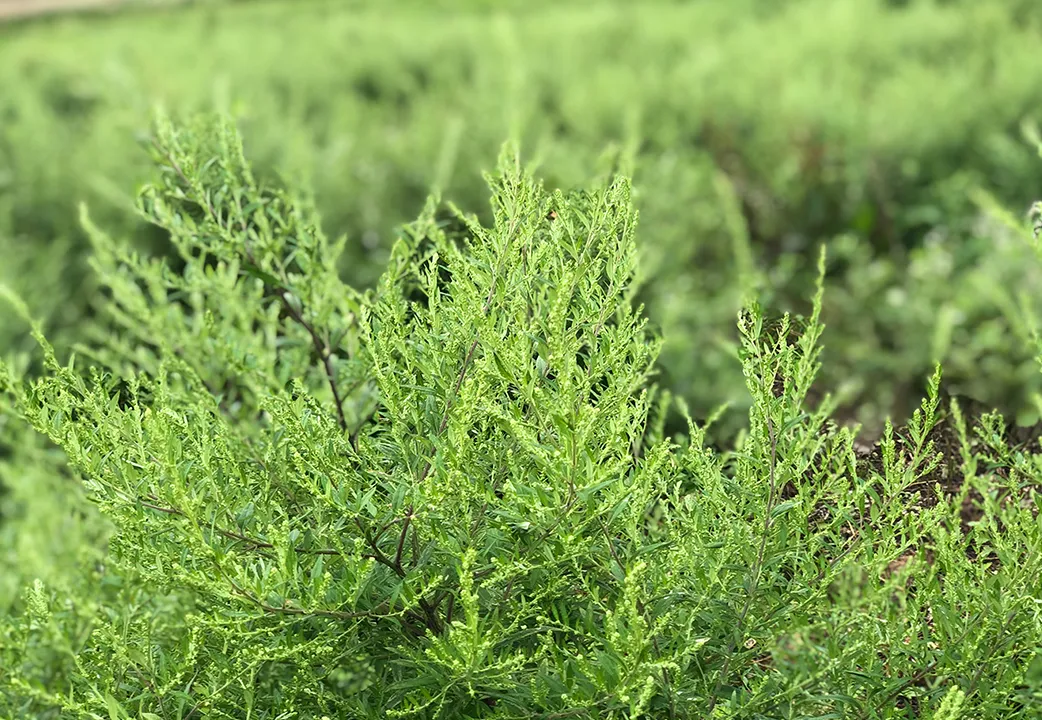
(453, 496)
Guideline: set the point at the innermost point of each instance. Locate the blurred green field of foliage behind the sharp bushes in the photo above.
(756, 131)
